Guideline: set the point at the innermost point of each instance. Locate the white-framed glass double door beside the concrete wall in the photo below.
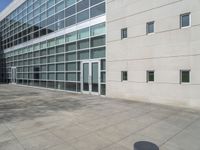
(90, 77)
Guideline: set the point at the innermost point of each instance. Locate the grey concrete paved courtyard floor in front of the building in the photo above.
(38, 119)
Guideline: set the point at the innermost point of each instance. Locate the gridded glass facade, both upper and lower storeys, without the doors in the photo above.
(56, 62)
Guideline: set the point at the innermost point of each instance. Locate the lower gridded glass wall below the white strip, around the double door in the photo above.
(55, 63)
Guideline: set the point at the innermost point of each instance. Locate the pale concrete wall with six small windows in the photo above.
(167, 51)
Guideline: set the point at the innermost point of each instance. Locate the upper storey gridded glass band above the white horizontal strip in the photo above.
(36, 18)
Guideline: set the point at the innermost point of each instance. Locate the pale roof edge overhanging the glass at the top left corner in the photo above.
(10, 8)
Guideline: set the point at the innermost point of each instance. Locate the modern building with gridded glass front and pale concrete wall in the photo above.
(134, 49)
